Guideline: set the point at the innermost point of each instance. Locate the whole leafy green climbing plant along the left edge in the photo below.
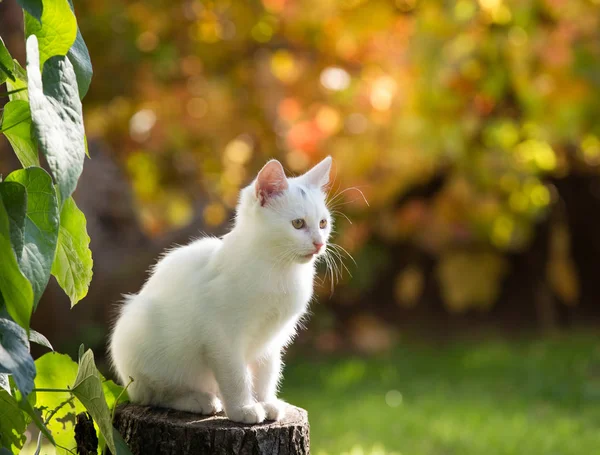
(43, 233)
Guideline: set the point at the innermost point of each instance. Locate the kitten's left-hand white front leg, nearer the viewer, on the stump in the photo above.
(235, 385)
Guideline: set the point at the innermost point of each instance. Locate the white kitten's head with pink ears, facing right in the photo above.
(291, 212)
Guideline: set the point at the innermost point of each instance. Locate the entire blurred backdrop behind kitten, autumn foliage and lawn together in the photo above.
(470, 127)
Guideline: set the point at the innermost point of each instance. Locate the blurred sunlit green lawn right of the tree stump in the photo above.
(483, 398)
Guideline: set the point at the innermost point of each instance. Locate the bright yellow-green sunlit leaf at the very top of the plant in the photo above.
(56, 29)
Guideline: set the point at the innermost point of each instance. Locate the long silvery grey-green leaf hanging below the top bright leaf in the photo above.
(57, 117)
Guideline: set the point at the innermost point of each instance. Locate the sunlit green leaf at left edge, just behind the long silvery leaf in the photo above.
(17, 128)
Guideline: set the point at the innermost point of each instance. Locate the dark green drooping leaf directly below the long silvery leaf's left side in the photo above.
(41, 226)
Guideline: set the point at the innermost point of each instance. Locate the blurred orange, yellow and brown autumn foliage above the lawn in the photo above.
(470, 127)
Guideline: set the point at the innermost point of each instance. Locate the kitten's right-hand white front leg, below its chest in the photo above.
(267, 373)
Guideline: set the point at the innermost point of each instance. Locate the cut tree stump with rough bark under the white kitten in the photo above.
(158, 431)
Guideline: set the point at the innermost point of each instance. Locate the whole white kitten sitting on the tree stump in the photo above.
(213, 319)
